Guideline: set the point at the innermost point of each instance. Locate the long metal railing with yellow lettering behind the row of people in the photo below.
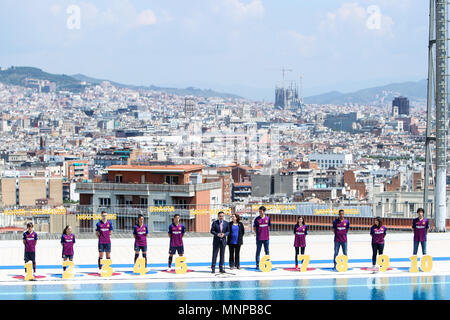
(197, 218)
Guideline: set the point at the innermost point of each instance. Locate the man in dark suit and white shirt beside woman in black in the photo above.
(220, 230)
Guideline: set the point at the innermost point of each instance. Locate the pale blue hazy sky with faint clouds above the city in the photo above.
(336, 45)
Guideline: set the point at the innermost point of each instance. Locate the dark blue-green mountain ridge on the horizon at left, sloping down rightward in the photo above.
(17, 75)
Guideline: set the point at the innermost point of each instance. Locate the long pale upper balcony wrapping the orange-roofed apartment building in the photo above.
(144, 188)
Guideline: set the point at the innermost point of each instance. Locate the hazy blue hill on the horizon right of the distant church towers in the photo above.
(415, 91)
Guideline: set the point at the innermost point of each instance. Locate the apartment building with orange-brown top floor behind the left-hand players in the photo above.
(141, 187)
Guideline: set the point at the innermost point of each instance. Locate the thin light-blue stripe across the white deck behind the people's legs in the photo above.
(208, 264)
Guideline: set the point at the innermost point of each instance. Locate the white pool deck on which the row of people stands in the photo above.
(198, 252)
